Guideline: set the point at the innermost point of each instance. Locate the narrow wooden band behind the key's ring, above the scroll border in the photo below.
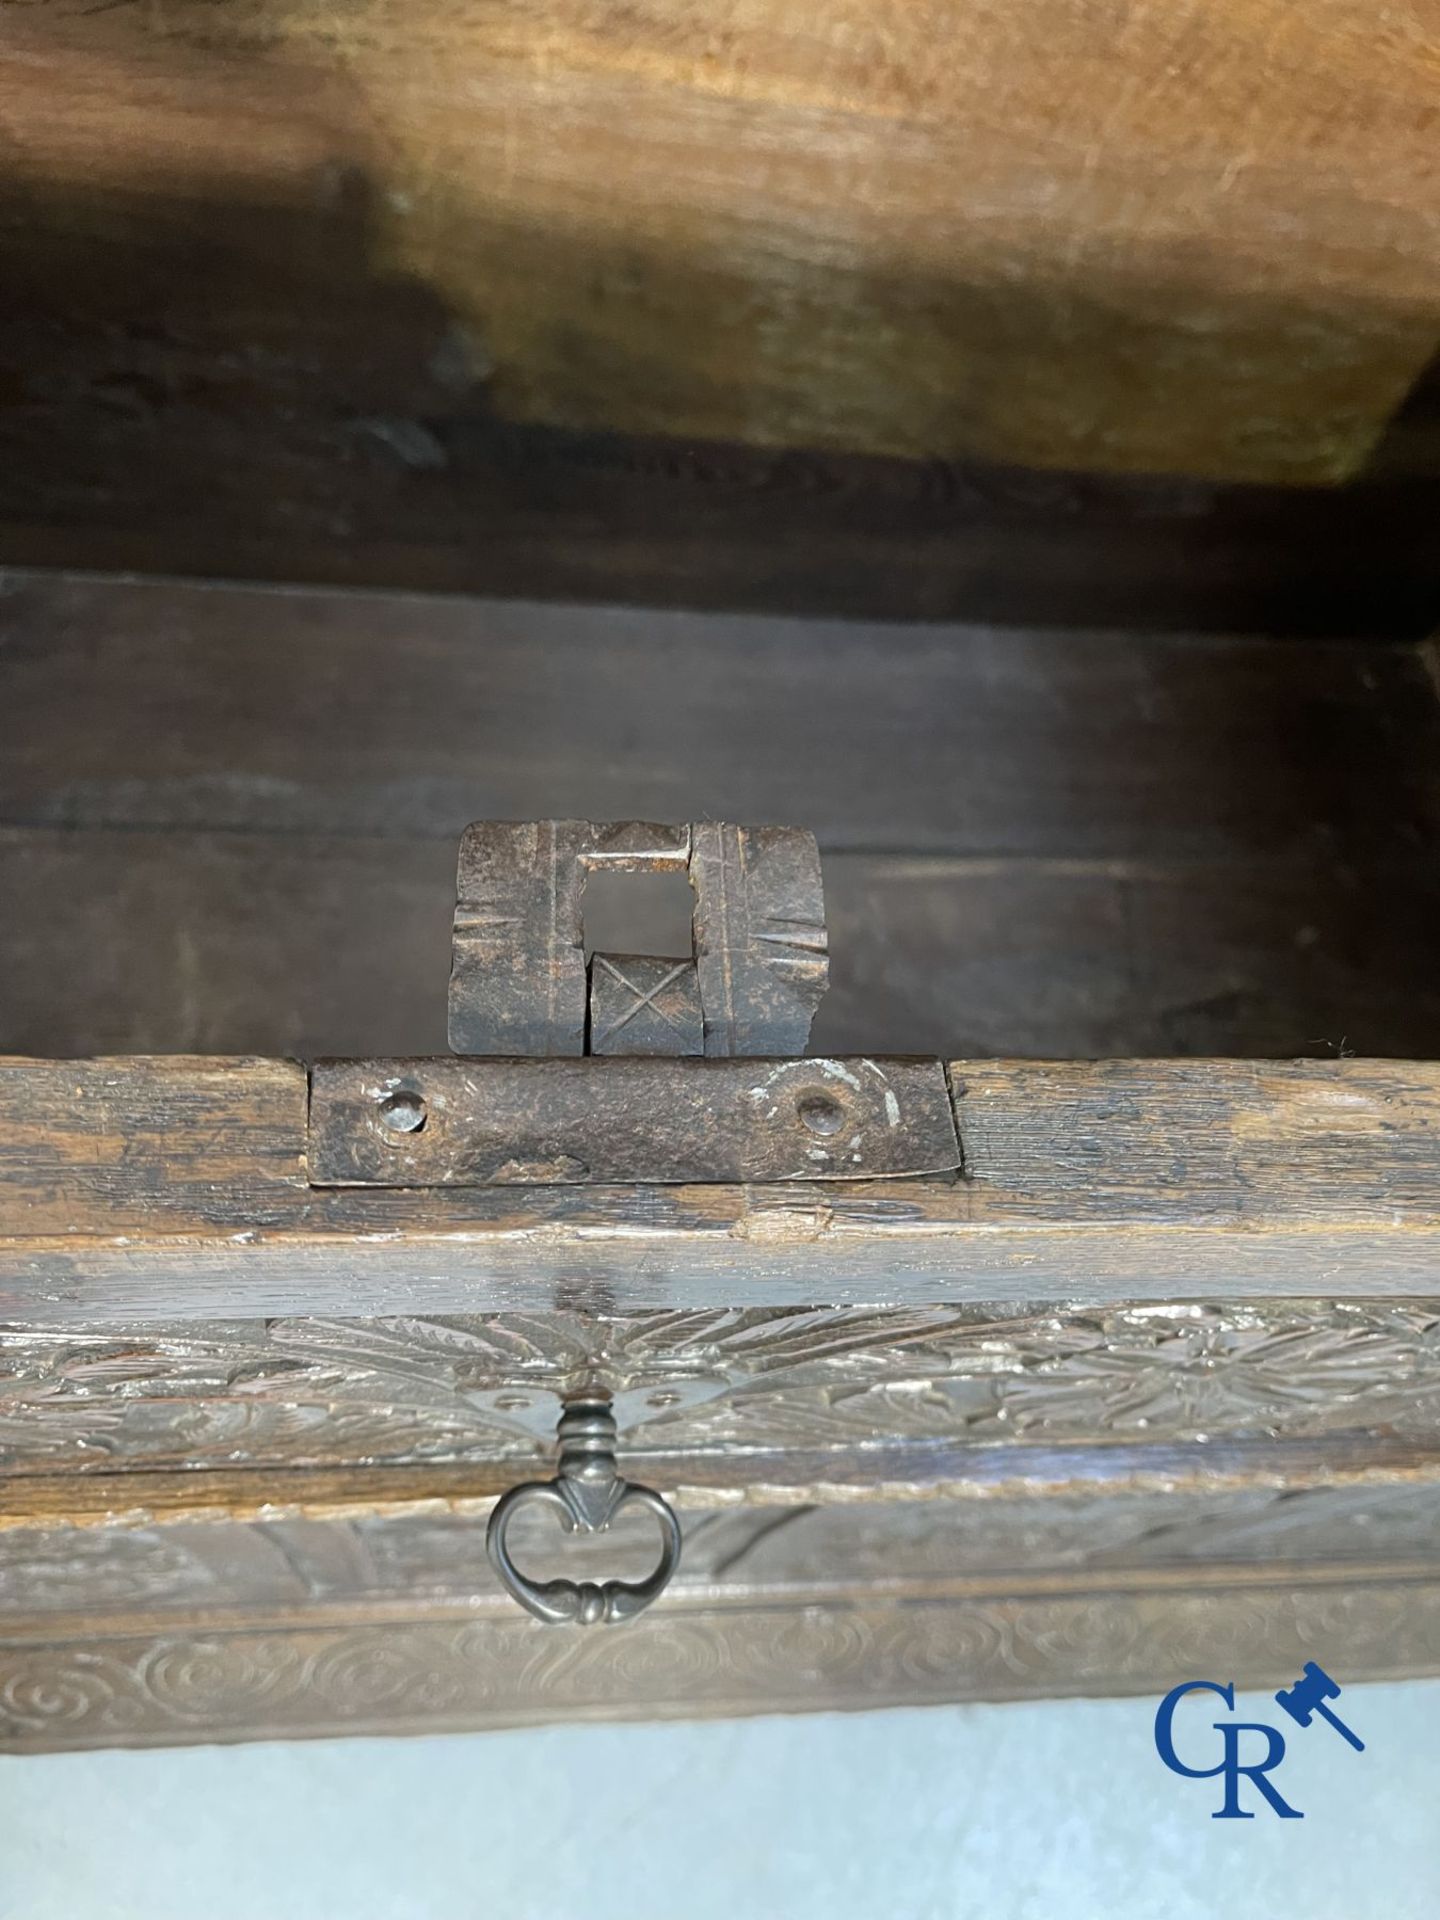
(435, 1562)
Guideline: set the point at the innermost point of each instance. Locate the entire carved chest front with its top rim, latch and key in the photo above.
(875, 1381)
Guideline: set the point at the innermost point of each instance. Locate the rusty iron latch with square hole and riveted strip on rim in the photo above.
(629, 1068)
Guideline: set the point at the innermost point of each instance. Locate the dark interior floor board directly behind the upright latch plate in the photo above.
(306, 946)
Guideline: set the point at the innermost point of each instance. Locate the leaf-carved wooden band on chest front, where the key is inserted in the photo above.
(295, 1391)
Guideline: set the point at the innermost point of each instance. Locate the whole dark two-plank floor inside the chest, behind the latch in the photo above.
(229, 817)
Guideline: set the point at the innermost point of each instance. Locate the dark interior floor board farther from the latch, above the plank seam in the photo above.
(132, 706)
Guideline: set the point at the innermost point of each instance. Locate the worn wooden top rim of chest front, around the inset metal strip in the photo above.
(153, 1191)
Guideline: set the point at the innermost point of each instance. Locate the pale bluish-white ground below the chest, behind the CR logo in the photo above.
(1055, 1812)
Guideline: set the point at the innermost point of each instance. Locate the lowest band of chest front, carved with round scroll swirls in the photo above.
(266, 1683)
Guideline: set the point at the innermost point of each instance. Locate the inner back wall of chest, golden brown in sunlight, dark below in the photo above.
(775, 306)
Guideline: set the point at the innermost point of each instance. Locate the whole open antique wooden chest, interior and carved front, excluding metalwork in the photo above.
(1007, 454)
